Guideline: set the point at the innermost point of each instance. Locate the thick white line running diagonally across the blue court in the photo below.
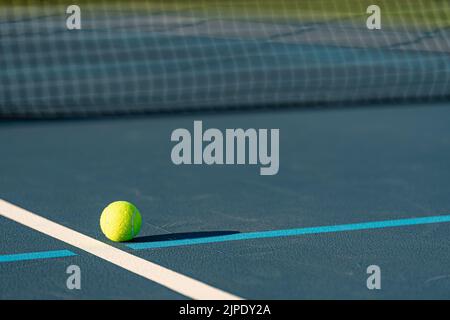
(173, 280)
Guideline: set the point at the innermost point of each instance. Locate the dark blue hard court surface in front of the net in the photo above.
(341, 166)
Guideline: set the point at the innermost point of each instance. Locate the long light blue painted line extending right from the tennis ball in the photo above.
(290, 232)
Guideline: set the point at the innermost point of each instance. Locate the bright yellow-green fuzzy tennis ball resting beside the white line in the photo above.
(120, 221)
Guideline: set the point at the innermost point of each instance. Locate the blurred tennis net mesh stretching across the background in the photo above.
(152, 56)
